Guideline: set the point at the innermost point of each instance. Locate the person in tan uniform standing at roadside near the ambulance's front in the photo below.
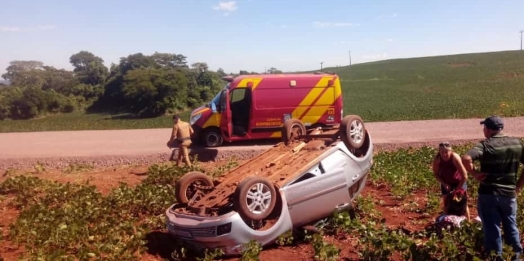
(181, 133)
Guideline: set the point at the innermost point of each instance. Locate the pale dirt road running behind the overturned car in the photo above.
(110, 147)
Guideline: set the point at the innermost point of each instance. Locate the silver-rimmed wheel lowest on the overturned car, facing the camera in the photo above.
(255, 198)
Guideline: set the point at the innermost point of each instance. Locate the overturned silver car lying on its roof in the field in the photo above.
(298, 182)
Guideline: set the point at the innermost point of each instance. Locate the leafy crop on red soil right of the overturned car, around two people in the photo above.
(410, 170)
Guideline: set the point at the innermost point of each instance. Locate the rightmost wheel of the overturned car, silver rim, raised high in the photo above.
(352, 131)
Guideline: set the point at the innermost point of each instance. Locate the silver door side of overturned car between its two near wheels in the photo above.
(319, 191)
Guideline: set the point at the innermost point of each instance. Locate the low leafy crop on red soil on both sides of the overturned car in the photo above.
(63, 221)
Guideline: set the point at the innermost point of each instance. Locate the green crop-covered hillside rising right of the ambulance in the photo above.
(454, 86)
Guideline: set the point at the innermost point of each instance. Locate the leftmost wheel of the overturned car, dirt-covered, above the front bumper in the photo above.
(189, 184)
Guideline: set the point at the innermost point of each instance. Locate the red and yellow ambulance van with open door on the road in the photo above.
(255, 107)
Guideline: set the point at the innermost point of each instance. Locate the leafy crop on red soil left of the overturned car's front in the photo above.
(62, 221)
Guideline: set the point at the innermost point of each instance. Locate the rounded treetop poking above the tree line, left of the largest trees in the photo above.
(90, 69)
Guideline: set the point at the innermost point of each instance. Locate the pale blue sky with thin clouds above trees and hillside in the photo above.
(254, 35)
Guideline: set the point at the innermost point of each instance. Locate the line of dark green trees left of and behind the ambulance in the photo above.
(144, 85)
